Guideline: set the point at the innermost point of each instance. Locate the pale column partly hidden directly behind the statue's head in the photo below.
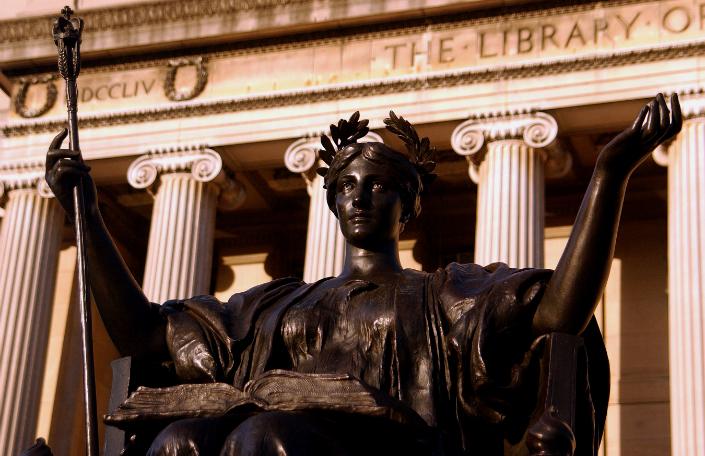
(325, 245)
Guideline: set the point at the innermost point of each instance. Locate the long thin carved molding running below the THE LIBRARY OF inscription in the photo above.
(368, 88)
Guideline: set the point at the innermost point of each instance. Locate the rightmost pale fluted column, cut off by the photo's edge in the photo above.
(685, 158)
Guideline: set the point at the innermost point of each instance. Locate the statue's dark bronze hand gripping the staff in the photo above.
(64, 170)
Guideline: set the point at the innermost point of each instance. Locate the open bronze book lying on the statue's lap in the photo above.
(274, 390)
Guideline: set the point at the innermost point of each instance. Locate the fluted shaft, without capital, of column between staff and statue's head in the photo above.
(180, 247)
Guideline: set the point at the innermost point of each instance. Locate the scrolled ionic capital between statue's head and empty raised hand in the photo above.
(537, 130)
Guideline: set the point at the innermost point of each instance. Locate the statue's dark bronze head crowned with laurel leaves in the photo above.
(362, 173)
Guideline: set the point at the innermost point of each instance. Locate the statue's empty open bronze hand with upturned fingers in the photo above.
(653, 126)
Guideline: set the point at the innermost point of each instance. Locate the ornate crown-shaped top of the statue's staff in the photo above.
(67, 37)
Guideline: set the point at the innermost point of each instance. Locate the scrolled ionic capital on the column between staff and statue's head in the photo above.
(204, 165)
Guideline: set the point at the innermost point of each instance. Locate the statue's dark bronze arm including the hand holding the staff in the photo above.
(133, 323)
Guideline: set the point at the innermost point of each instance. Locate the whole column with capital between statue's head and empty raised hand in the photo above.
(508, 157)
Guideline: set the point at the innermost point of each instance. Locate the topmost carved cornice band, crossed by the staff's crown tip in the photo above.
(13, 31)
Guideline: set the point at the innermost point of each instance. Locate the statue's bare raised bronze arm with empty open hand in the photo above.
(580, 277)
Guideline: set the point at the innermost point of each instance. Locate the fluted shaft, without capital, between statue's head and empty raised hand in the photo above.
(510, 205)
